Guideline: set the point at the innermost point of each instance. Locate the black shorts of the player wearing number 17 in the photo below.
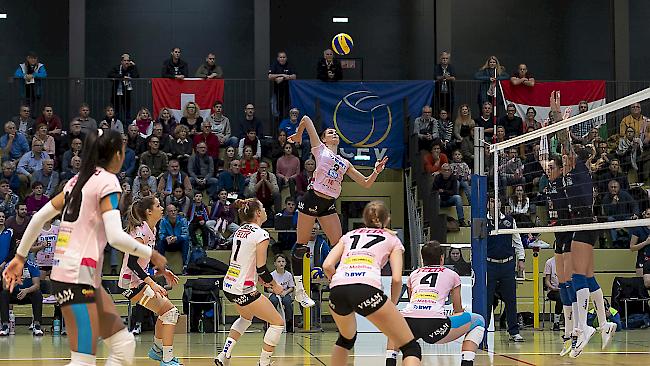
(358, 298)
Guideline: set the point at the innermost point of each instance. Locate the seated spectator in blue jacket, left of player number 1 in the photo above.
(173, 235)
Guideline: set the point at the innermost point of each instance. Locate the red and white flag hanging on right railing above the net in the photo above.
(572, 92)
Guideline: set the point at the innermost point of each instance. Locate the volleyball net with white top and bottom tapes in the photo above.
(612, 143)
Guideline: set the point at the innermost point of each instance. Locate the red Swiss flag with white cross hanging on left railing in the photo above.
(175, 94)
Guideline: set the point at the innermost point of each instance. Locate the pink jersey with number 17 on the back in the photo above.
(365, 253)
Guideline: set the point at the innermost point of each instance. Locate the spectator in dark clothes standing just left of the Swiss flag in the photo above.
(123, 86)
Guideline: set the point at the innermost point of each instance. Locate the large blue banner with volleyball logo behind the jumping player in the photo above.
(368, 116)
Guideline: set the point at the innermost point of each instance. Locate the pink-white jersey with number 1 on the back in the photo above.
(241, 277)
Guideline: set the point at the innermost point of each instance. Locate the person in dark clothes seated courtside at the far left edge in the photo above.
(26, 292)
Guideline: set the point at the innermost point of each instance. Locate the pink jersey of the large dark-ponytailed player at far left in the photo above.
(79, 253)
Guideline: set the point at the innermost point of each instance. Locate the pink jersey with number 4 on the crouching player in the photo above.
(430, 287)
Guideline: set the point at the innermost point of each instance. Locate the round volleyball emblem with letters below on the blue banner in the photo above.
(376, 122)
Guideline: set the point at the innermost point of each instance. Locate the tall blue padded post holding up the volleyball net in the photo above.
(479, 229)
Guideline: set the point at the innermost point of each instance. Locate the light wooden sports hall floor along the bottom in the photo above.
(540, 348)
